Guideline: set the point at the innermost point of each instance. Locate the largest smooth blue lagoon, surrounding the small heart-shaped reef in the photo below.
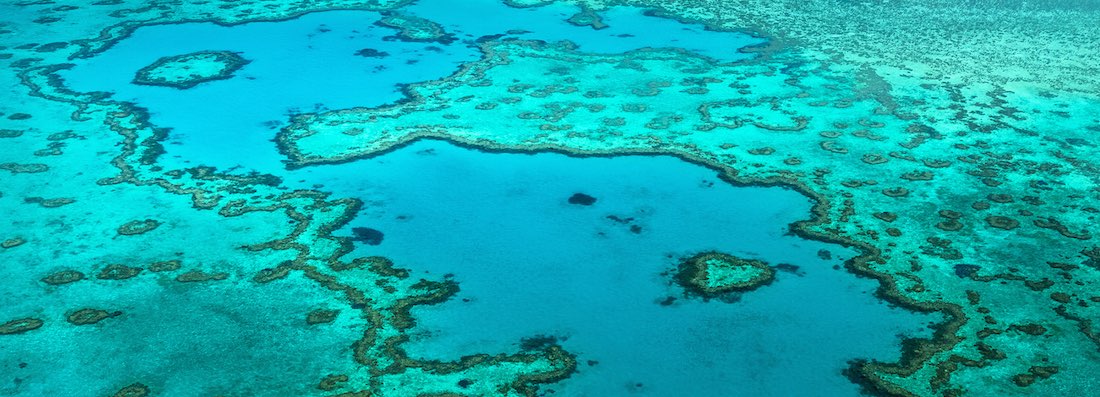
(529, 263)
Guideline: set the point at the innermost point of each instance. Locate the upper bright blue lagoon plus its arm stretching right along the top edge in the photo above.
(310, 64)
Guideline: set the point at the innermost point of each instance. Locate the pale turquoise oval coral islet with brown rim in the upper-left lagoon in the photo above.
(188, 71)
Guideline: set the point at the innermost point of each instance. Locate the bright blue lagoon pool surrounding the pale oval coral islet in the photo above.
(294, 68)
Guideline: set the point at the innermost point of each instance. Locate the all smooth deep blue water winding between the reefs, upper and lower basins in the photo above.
(529, 262)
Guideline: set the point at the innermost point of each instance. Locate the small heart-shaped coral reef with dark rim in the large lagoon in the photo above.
(711, 274)
